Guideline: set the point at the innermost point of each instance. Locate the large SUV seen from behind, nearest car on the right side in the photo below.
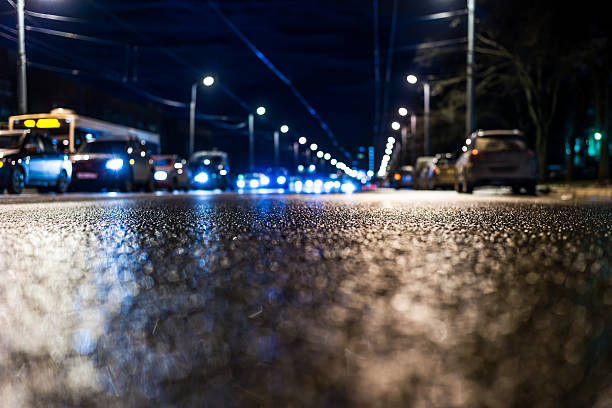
(496, 158)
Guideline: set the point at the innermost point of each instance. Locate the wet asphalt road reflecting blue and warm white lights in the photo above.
(384, 299)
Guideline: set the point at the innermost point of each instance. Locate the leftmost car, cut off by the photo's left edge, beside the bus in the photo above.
(32, 160)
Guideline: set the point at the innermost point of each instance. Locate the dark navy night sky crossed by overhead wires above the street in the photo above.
(325, 48)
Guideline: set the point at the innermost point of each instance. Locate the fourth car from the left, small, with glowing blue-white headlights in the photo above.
(210, 170)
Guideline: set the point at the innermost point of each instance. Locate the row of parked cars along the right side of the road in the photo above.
(488, 158)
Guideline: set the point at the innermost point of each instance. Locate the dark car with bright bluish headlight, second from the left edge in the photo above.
(113, 164)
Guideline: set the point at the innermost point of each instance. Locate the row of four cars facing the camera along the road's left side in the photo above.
(32, 160)
